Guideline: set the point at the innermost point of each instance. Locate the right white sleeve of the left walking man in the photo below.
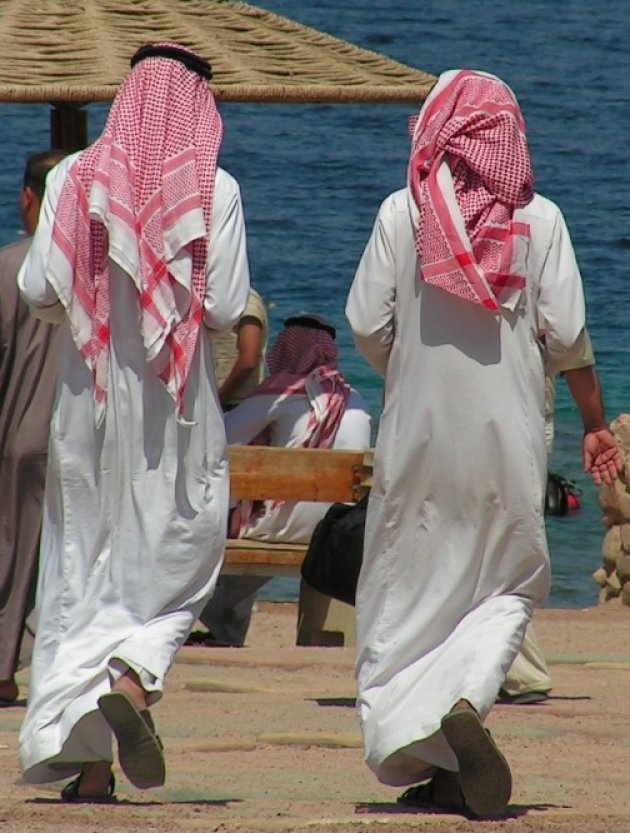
(227, 272)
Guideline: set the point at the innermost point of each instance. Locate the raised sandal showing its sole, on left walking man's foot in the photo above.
(140, 750)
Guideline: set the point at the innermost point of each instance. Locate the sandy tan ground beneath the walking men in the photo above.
(265, 738)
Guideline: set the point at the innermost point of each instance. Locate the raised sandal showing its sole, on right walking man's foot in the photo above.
(486, 780)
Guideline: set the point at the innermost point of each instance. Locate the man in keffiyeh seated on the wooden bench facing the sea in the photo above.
(304, 403)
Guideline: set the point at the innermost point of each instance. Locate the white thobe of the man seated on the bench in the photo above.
(286, 419)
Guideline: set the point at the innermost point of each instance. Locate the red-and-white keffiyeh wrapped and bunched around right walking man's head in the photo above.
(469, 169)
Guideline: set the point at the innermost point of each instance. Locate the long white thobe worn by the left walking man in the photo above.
(135, 510)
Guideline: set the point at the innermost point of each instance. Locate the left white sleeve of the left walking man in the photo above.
(36, 290)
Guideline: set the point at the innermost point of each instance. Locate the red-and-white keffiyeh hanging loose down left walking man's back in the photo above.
(142, 196)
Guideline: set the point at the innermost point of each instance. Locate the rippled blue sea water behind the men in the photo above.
(312, 178)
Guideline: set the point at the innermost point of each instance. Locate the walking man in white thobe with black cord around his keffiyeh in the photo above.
(140, 254)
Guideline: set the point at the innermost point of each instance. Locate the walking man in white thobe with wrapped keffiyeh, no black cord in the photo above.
(445, 306)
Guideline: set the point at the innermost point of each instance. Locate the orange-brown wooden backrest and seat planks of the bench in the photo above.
(314, 474)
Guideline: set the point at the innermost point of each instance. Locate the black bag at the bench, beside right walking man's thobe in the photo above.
(335, 552)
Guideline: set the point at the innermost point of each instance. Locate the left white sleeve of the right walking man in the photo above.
(370, 304)
